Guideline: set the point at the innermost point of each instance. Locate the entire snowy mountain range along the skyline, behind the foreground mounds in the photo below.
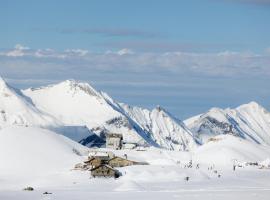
(85, 115)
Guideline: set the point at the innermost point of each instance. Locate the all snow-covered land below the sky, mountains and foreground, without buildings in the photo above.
(46, 131)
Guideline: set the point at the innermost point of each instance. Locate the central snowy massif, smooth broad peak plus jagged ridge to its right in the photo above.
(75, 103)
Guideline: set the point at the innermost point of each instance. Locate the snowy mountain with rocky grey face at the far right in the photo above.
(249, 121)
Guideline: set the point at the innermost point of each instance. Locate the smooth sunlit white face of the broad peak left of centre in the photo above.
(72, 103)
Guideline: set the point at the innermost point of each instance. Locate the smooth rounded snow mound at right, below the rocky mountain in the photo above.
(224, 149)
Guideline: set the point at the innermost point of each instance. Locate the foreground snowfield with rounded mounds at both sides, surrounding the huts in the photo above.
(43, 160)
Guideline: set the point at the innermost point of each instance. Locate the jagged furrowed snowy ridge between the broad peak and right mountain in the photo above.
(167, 131)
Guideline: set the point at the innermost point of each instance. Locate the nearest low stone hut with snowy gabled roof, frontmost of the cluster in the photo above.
(105, 171)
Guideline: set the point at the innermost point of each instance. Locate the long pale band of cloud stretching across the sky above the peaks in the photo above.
(226, 63)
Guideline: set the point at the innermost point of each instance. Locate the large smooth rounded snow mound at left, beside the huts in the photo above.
(27, 153)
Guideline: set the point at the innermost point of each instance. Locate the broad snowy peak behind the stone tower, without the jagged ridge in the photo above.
(75, 103)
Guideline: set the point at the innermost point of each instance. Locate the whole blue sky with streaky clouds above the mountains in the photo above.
(187, 56)
